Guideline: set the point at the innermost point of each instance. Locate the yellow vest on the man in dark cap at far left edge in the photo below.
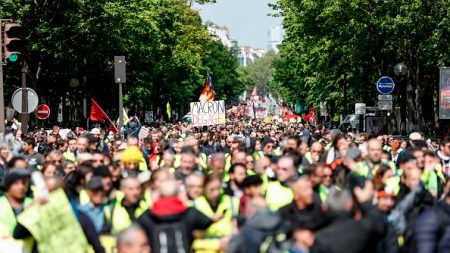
(8, 221)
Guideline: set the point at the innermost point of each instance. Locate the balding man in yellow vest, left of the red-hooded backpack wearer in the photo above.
(124, 211)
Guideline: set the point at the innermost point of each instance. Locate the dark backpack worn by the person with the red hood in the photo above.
(170, 238)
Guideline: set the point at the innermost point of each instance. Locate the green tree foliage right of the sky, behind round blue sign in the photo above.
(333, 48)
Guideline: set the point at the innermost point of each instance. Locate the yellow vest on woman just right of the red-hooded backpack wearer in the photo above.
(229, 206)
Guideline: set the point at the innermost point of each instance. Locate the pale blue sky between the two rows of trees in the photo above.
(247, 20)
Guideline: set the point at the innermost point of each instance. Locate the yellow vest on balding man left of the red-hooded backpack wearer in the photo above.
(117, 216)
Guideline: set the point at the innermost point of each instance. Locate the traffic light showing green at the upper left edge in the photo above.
(14, 41)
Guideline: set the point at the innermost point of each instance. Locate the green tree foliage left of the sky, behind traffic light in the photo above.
(167, 49)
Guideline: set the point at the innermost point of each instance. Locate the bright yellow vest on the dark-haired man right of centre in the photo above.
(278, 195)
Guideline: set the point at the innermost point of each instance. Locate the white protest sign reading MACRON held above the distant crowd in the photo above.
(206, 113)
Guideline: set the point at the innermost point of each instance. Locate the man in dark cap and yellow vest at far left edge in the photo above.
(14, 202)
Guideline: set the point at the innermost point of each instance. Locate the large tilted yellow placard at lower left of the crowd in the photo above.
(54, 225)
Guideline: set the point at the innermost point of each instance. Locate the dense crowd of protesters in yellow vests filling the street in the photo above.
(240, 187)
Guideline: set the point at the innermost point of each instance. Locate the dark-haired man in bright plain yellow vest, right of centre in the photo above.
(279, 192)
